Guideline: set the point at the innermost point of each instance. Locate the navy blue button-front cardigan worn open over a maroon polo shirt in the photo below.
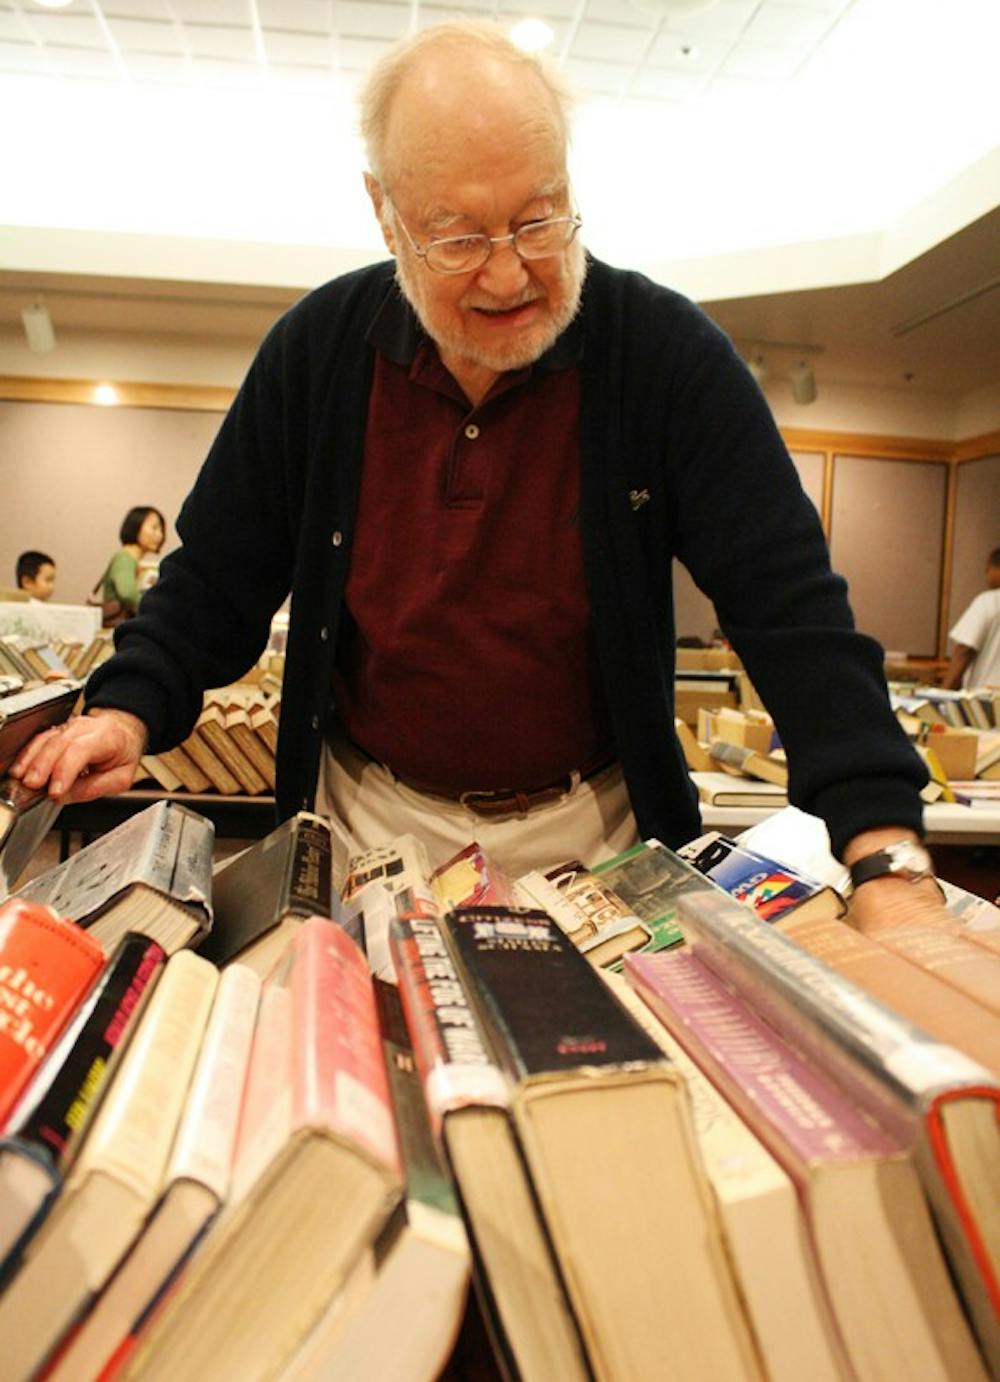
(680, 457)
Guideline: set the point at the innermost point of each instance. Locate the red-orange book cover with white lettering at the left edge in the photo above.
(48, 965)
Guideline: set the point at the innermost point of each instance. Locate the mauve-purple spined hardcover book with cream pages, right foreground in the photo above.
(874, 1236)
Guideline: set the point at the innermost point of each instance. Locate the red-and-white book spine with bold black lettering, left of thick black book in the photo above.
(452, 1055)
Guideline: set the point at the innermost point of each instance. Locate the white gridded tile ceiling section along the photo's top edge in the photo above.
(614, 48)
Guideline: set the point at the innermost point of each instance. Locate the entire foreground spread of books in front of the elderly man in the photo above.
(671, 1113)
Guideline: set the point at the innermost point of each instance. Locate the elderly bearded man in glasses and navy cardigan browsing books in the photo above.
(473, 473)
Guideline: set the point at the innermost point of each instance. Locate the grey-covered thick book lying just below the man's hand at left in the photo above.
(153, 874)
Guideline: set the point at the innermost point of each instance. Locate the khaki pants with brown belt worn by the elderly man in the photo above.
(367, 806)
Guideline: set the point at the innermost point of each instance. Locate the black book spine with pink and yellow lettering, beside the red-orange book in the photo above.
(84, 1063)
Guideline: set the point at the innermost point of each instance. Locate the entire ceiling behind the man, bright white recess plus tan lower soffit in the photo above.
(795, 165)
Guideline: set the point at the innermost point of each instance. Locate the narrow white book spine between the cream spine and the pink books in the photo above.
(206, 1138)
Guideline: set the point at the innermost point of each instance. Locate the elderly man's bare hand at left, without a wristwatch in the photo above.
(89, 757)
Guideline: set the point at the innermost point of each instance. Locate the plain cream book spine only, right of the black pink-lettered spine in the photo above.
(133, 1133)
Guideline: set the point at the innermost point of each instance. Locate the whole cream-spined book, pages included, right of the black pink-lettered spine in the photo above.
(117, 1178)
